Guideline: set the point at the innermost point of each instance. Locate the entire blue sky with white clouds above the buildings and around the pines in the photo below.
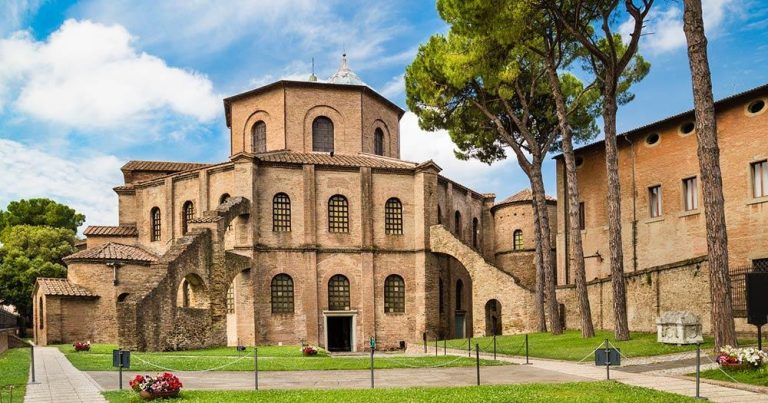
(87, 85)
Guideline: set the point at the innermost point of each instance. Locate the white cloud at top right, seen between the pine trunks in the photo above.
(664, 28)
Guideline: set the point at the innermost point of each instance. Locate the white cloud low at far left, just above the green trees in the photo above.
(85, 184)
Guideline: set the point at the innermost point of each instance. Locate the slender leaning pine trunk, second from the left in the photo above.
(576, 252)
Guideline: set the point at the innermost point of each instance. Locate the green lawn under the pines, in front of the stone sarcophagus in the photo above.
(571, 346)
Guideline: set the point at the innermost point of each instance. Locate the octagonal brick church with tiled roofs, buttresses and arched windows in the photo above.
(314, 231)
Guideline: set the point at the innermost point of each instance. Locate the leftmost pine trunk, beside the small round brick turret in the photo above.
(550, 276)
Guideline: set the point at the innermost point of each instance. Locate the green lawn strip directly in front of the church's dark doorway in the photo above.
(271, 358)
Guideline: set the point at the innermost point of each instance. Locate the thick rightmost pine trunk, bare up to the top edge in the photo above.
(711, 180)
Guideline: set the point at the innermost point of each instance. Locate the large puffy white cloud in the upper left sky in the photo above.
(89, 76)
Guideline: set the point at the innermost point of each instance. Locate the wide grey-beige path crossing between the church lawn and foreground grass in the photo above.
(355, 379)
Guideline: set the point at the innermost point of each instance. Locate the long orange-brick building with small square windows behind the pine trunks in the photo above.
(663, 227)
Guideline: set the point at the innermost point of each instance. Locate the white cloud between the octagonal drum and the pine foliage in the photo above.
(418, 145)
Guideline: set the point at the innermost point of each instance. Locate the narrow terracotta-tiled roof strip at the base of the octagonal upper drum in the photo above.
(354, 160)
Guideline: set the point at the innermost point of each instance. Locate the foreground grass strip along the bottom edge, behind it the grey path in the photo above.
(605, 391)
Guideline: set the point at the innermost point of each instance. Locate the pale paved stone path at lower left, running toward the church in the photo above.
(58, 381)
